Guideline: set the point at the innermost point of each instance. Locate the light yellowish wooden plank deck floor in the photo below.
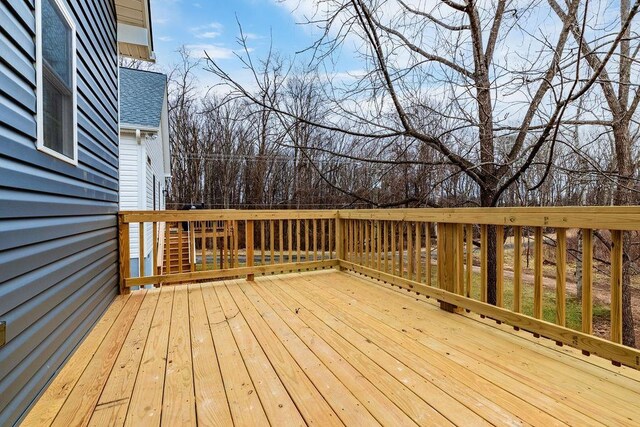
(322, 348)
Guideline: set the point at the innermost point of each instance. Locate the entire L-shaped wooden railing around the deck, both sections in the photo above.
(440, 253)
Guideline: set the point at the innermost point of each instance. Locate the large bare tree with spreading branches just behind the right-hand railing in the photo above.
(462, 52)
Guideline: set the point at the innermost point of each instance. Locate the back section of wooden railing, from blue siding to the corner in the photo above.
(225, 244)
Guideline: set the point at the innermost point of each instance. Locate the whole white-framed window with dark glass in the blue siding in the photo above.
(56, 80)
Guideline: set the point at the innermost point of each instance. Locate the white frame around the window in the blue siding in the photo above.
(64, 11)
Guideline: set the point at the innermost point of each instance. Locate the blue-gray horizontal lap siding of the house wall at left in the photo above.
(58, 228)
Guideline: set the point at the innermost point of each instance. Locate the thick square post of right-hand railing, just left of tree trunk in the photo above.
(447, 259)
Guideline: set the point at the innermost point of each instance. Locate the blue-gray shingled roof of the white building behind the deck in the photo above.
(141, 97)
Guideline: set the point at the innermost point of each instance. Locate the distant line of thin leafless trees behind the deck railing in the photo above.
(230, 153)
